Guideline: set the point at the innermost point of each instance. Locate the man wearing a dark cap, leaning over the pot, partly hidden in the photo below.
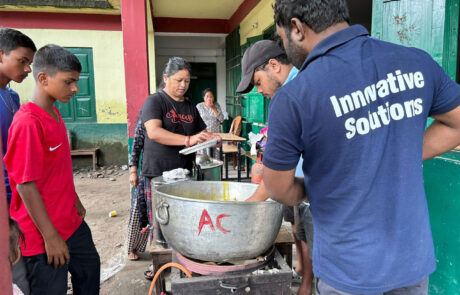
(266, 66)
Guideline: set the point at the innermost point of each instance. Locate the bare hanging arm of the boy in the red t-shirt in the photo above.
(55, 247)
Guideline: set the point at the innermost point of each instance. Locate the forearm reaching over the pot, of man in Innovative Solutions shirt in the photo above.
(283, 187)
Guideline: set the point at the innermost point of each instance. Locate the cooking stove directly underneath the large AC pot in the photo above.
(268, 274)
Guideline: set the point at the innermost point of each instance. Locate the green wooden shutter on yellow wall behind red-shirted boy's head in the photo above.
(82, 107)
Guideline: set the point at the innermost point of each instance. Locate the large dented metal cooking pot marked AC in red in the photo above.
(209, 220)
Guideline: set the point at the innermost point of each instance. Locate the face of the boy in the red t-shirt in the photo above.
(62, 86)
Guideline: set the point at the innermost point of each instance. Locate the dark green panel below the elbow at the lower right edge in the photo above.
(442, 185)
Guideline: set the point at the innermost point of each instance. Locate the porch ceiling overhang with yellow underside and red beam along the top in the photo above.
(91, 15)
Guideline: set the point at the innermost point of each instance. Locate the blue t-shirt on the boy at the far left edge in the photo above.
(9, 105)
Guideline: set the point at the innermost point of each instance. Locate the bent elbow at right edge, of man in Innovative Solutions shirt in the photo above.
(442, 135)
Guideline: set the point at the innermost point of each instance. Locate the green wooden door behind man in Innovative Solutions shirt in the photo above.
(432, 25)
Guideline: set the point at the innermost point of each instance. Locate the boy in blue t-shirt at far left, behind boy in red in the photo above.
(16, 54)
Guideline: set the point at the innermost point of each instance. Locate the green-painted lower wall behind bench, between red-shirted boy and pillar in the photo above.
(111, 139)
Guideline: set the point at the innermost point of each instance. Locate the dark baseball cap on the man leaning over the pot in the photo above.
(256, 55)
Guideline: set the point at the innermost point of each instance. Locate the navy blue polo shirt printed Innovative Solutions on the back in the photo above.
(356, 112)
